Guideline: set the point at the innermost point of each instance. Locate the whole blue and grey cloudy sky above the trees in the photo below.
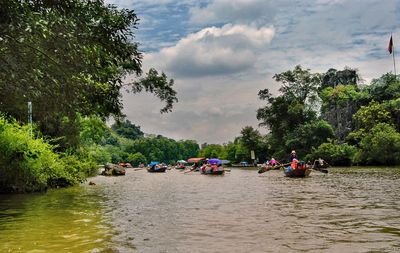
(220, 53)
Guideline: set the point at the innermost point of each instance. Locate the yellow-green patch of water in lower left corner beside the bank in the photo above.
(64, 220)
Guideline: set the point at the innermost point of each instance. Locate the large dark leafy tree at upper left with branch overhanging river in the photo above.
(68, 57)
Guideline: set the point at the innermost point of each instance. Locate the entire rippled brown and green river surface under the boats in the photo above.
(346, 210)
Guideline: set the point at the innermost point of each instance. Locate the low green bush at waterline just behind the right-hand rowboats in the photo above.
(334, 154)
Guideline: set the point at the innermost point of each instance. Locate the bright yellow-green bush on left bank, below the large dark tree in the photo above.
(29, 165)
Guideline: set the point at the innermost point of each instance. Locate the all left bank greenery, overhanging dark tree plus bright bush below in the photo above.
(69, 59)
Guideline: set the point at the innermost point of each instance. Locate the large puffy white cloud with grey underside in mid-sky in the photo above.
(215, 51)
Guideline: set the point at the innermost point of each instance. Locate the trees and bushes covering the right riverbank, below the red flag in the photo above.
(327, 115)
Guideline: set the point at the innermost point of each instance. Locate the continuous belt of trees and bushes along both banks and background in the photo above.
(69, 59)
